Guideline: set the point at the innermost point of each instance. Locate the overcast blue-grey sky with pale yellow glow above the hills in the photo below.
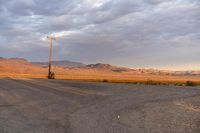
(161, 34)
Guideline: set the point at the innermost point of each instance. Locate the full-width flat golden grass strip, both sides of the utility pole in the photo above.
(116, 78)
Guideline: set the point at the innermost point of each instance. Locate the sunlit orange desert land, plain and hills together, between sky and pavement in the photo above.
(22, 68)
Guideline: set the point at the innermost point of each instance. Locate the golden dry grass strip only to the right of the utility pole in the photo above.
(144, 79)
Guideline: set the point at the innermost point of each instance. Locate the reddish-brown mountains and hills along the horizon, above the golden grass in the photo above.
(23, 66)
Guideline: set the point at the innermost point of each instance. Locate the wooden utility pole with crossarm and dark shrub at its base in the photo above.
(51, 75)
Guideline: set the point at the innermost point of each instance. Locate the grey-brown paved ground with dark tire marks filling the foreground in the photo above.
(55, 106)
